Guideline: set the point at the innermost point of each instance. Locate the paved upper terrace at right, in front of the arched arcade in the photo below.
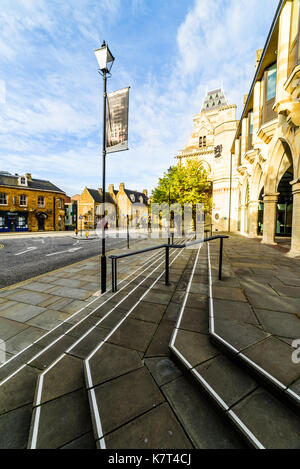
(257, 308)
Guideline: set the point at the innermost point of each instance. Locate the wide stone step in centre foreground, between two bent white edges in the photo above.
(135, 389)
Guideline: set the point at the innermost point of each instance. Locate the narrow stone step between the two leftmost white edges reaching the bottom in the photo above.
(61, 389)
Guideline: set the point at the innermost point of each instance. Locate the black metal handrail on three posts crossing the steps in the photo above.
(167, 247)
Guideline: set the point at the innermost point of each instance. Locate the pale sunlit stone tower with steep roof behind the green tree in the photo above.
(210, 142)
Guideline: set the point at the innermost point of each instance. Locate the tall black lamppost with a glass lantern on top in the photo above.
(105, 60)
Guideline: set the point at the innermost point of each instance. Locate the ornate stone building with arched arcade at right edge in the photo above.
(266, 149)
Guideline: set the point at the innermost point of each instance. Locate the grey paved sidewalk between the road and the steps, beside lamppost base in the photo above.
(30, 309)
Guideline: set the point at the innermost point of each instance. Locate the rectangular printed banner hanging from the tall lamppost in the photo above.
(117, 121)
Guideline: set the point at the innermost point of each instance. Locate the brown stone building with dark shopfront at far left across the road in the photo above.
(28, 204)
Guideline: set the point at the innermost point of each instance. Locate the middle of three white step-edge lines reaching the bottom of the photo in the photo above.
(87, 367)
